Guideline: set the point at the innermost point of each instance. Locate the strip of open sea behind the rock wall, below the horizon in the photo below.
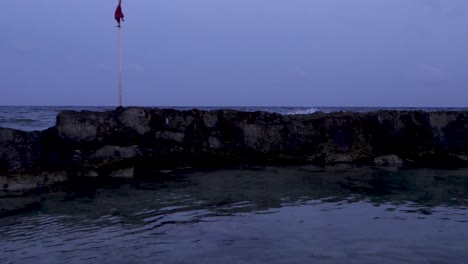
(29, 118)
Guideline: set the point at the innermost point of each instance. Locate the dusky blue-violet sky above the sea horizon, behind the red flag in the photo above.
(236, 53)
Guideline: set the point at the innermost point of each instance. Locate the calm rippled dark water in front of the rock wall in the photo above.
(340, 214)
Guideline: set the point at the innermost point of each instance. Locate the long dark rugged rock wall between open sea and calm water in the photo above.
(137, 141)
